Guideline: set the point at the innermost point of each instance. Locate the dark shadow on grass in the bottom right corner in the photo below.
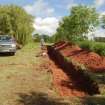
(95, 100)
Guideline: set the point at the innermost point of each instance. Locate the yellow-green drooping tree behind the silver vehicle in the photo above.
(15, 21)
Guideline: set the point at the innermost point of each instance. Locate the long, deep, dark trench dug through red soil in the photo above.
(81, 79)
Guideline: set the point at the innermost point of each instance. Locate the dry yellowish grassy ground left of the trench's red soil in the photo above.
(25, 80)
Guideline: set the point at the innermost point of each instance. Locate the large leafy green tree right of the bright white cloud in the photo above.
(81, 20)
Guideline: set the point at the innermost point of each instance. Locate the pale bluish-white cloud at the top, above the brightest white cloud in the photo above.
(39, 8)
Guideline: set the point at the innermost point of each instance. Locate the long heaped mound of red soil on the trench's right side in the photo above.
(91, 60)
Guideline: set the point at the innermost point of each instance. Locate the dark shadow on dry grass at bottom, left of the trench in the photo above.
(35, 98)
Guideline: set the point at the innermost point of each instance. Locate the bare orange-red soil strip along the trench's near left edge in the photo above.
(63, 83)
